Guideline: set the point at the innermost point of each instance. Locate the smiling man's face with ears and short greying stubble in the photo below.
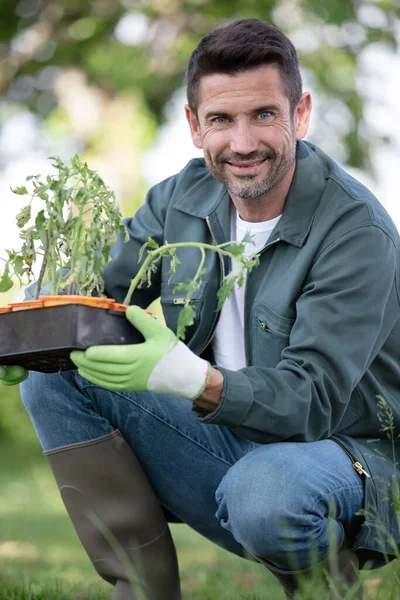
(246, 130)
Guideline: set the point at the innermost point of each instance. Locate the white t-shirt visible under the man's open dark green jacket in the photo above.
(228, 342)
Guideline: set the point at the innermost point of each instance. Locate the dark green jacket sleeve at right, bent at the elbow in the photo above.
(346, 310)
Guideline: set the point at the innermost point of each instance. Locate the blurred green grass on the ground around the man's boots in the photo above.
(41, 557)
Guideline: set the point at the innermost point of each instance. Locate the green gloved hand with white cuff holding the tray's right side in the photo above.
(161, 364)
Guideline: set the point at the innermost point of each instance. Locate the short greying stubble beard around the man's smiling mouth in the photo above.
(250, 186)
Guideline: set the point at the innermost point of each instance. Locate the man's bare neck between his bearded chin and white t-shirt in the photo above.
(265, 207)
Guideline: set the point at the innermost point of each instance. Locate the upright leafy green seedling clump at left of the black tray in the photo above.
(72, 232)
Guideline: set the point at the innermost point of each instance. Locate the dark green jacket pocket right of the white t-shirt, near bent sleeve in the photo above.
(270, 335)
